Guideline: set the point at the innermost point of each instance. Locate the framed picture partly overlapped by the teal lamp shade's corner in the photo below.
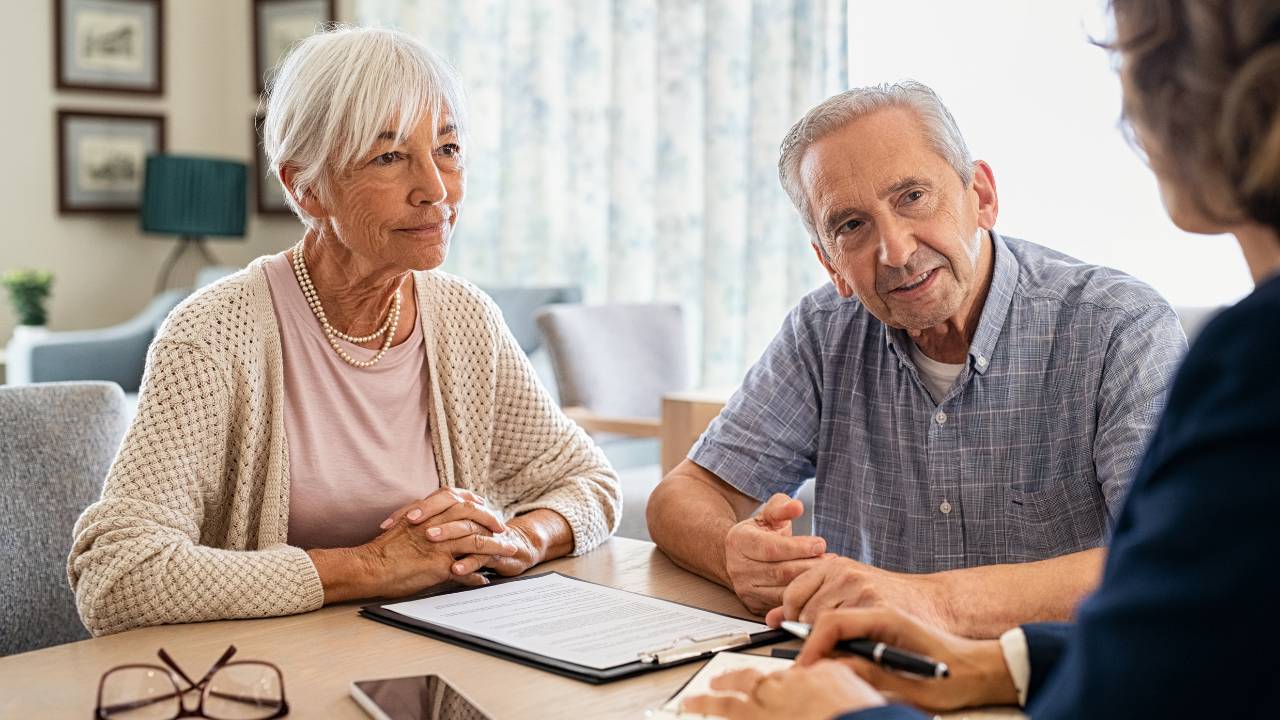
(102, 158)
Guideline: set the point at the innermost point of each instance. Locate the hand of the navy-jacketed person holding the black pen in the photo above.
(979, 672)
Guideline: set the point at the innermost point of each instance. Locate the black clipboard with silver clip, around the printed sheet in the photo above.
(668, 654)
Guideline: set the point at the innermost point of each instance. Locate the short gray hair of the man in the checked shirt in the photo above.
(839, 111)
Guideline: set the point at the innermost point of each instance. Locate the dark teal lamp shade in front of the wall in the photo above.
(194, 197)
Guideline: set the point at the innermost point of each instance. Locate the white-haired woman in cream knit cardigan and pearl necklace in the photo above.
(341, 421)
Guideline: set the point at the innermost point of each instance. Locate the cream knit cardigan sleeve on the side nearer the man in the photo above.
(541, 459)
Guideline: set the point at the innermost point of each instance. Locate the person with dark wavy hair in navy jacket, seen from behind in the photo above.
(1185, 623)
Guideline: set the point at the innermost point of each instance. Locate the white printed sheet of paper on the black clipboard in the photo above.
(572, 621)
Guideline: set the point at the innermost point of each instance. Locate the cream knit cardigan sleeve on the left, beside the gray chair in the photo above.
(144, 554)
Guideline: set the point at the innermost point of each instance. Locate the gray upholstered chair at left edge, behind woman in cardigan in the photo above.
(57, 443)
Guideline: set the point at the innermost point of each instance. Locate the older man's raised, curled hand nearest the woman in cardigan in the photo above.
(762, 557)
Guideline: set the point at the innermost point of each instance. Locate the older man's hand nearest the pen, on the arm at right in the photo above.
(840, 582)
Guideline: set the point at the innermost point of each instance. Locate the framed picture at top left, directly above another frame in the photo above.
(111, 45)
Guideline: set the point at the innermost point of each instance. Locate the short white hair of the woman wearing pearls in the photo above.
(337, 90)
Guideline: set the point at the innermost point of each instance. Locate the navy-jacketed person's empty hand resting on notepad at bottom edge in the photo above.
(817, 692)
